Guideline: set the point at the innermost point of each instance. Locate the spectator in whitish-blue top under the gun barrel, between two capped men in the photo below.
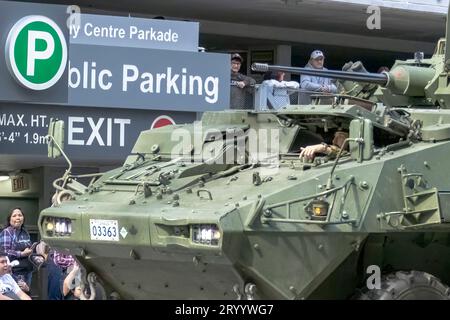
(277, 89)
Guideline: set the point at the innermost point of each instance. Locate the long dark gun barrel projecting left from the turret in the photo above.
(377, 78)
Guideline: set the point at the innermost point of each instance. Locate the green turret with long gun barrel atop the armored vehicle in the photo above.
(416, 82)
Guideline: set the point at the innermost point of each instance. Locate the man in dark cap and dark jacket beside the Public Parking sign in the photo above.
(240, 84)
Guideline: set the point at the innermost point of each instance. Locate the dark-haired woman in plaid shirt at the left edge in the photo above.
(15, 242)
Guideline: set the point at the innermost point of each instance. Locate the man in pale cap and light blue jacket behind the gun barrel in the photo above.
(316, 83)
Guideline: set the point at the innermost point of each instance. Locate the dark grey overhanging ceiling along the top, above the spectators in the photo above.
(317, 15)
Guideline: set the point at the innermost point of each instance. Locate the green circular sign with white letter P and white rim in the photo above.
(36, 52)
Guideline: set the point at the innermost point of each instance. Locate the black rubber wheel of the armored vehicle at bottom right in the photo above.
(407, 285)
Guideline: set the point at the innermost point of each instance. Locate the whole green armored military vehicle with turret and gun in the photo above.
(226, 209)
